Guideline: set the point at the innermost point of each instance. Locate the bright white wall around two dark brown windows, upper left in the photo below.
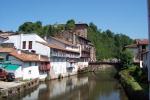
(39, 48)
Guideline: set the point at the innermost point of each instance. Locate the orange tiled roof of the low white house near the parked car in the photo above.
(29, 57)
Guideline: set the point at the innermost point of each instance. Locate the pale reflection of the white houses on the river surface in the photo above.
(57, 88)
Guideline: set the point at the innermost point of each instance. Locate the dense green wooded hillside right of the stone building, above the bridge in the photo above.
(108, 44)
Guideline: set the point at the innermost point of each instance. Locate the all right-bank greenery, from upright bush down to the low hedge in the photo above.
(133, 78)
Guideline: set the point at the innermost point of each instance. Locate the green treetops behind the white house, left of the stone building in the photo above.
(36, 27)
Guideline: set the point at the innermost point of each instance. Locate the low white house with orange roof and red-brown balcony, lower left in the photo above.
(32, 65)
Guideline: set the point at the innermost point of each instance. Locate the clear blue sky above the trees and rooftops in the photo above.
(120, 16)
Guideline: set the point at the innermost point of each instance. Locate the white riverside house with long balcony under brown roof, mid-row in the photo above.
(63, 62)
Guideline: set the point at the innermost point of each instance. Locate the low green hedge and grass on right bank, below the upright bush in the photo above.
(134, 81)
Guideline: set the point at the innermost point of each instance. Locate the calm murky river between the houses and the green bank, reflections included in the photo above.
(100, 85)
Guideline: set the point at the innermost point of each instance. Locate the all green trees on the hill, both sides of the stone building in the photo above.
(107, 43)
